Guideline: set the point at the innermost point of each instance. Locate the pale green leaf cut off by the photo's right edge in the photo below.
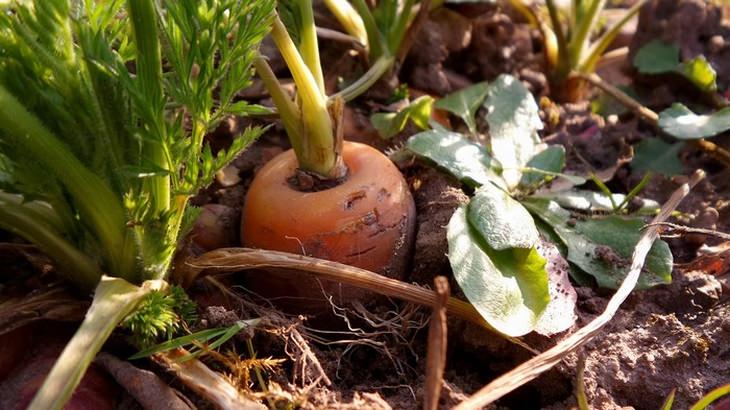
(681, 123)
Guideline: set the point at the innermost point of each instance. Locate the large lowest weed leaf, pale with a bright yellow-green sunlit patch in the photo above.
(508, 288)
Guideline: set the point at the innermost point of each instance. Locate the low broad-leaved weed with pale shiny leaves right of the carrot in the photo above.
(505, 245)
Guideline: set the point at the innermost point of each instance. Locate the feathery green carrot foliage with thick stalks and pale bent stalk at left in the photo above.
(97, 162)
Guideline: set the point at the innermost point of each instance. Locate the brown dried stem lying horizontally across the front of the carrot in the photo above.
(237, 259)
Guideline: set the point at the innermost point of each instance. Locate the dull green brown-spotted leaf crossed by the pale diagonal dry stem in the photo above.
(602, 247)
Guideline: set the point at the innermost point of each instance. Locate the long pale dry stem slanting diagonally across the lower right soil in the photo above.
(544, 361)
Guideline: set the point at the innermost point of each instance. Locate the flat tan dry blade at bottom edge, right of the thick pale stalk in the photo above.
(205, 382)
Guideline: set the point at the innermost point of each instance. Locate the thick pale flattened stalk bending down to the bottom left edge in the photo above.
(114, 299)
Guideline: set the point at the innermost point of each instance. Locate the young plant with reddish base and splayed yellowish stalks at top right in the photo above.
(569, 46)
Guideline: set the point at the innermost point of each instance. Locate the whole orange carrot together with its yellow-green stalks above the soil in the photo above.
(327, 197)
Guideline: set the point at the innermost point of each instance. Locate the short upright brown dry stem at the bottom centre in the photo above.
(437, 334)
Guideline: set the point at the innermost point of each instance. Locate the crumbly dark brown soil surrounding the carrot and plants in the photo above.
(675, 336)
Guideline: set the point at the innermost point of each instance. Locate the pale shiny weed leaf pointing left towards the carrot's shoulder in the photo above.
(464, 159)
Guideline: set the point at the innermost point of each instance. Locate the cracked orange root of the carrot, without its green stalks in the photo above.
(366, 221)
